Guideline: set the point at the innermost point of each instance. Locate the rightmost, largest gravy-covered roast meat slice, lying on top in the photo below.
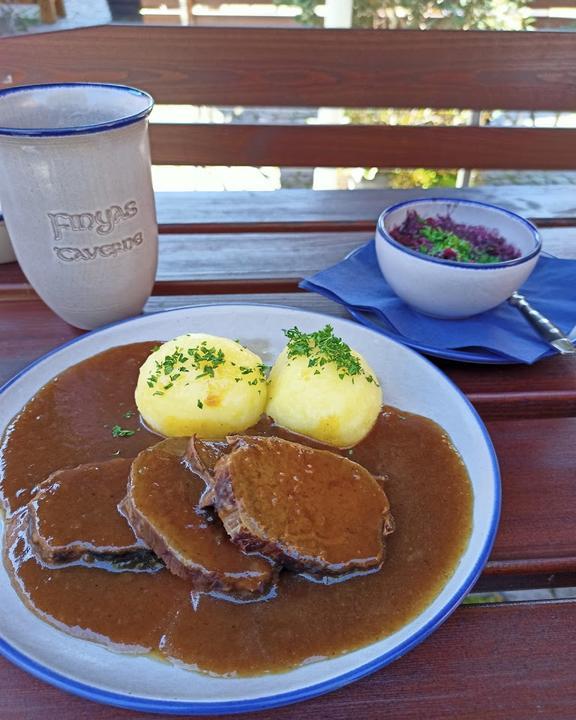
(310, 510)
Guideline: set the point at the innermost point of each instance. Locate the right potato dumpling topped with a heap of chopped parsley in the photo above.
(321, 388)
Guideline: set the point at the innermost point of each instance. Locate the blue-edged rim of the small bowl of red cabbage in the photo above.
(385, 235)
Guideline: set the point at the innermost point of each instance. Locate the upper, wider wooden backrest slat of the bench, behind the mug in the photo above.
(350, 68)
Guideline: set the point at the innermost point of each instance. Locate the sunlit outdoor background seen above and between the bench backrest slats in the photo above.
(528, 15)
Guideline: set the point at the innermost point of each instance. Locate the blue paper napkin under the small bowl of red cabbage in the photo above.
(357, 283)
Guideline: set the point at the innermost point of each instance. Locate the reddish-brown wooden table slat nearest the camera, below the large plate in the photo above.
(513, 661)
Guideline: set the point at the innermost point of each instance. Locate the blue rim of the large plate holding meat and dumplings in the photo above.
(175, 707)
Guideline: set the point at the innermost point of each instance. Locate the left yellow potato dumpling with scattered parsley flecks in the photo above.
(201, 384)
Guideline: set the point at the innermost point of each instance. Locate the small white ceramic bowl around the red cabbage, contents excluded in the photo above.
(447, 289)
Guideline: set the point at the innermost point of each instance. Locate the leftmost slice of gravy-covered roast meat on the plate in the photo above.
(73, 518)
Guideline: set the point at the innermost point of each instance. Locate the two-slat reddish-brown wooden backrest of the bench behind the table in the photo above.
(324, 68)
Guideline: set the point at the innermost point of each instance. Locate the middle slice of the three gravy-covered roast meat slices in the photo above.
(162, 506)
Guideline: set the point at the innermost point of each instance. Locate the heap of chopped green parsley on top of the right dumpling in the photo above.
(322, 348)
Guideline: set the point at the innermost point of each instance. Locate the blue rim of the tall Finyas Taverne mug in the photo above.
(80, 129)
